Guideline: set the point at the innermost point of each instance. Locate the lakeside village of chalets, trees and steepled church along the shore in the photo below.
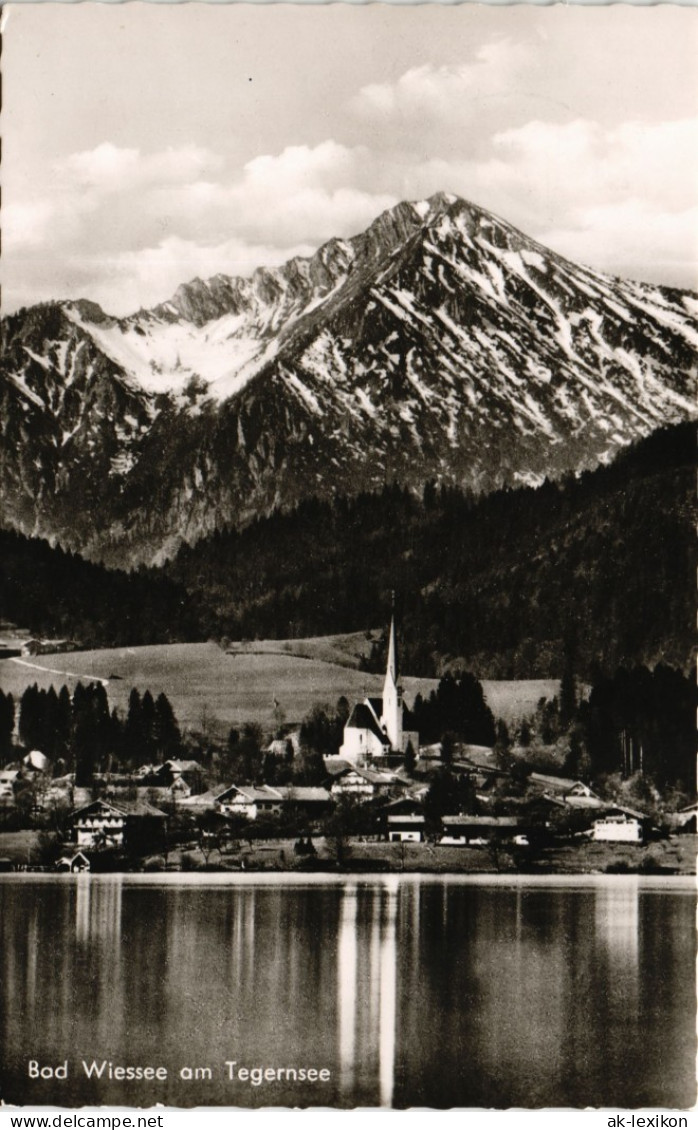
(383, 801)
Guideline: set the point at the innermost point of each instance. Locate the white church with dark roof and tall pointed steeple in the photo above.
(374, 732)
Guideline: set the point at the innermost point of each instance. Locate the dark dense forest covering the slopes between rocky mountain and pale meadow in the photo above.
(507, 586)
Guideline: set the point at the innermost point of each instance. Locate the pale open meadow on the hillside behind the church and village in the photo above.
(241, 684)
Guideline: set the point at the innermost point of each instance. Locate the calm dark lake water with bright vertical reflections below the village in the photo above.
(423, 992)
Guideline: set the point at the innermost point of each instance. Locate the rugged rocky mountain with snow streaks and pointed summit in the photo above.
(440, 345)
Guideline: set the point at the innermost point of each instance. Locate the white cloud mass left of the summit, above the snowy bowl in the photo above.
(127, 229)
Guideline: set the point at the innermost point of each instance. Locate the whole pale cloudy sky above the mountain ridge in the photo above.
(145, 145)
